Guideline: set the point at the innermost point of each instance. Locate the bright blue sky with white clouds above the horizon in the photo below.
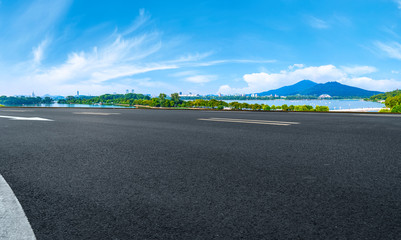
(204, 47)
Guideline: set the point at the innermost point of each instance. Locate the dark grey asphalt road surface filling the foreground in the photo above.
(156, 174)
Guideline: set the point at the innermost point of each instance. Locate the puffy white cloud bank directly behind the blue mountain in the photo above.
(259, 82)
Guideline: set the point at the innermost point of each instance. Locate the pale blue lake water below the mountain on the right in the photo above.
(332, 104)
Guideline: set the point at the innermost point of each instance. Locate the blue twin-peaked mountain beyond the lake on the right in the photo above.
(309, 88)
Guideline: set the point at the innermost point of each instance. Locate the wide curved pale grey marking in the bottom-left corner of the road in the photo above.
(13, 221)
